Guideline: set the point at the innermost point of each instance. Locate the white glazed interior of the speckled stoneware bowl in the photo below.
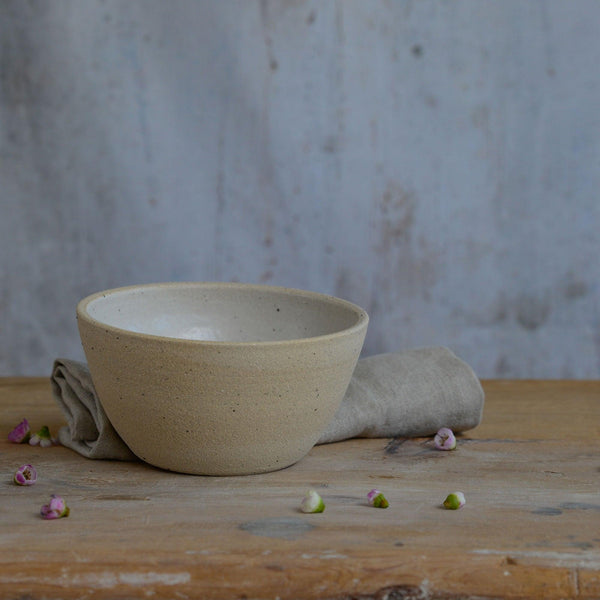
(222, 312)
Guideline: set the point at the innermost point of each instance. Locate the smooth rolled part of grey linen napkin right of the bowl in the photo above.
(408, 394)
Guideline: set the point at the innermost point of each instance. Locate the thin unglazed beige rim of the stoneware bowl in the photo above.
(361, 314)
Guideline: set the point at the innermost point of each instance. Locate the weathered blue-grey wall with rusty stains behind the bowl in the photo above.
(436, 162)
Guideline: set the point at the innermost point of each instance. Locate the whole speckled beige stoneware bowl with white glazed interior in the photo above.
(220, 378)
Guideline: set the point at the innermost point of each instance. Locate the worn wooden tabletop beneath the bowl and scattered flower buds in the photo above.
(530, 528)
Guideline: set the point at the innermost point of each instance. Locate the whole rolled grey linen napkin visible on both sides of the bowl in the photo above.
(404, 394)
